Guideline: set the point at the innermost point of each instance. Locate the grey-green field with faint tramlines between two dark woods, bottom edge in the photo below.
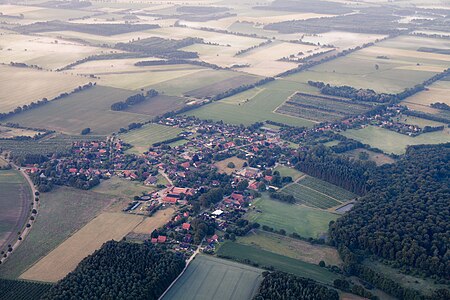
(209, 277)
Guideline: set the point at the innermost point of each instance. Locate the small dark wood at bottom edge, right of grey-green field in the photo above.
(283, 286)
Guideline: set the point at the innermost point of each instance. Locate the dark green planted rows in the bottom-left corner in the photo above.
(22, 290)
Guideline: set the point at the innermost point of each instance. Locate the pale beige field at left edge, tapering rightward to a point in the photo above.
(22, 86)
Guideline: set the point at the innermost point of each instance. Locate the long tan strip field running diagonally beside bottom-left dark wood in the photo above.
(64, 259)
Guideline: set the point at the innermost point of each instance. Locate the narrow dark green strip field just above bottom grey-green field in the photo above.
(279, 262)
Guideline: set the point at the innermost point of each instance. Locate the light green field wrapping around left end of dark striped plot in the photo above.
(254, 105)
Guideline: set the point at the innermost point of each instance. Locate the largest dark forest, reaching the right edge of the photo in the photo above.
(404, 217)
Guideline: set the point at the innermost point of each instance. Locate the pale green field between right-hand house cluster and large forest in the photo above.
(393, 142)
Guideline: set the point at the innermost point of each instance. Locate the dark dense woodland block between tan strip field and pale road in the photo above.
(120, 270)
